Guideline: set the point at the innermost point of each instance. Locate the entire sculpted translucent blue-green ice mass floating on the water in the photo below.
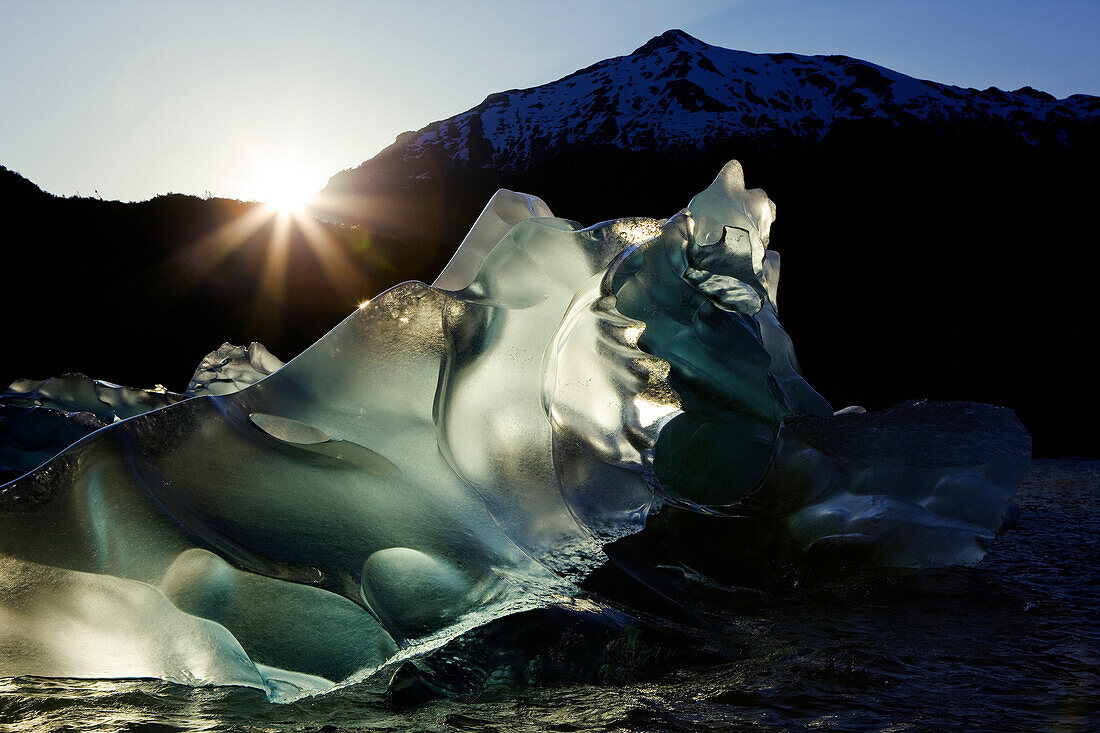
(453, 455)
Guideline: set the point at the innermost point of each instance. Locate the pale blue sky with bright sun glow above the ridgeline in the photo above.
(130, 100)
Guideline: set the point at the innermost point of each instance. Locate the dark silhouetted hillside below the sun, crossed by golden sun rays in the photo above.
(139, 293)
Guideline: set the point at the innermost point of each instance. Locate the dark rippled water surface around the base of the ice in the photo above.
(1013, 646)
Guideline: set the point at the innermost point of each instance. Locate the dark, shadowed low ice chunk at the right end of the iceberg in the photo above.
(921, 485)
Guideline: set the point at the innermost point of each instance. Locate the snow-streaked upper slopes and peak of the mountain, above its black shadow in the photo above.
(678, 93)
